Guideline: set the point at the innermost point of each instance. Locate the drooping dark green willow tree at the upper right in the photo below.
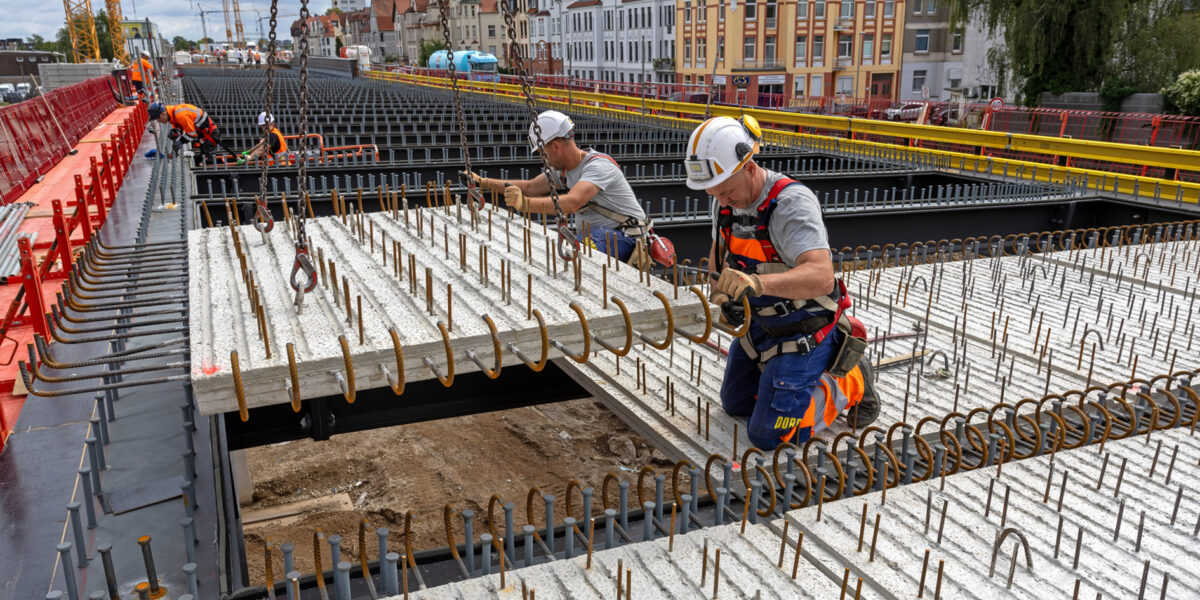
(1052, 46)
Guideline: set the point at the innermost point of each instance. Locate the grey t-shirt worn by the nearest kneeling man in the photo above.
(796, 226)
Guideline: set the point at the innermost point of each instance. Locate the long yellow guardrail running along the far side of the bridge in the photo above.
(950, 161)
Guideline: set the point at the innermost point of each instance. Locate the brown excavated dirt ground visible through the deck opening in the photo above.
(381, 475)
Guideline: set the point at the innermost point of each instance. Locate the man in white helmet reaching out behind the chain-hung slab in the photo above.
(596, 190)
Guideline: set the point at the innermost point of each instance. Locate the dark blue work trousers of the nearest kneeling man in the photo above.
(778, 398)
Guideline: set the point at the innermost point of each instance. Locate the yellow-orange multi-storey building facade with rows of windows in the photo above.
(770, 50)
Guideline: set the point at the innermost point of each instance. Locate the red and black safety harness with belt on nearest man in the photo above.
(800, 327)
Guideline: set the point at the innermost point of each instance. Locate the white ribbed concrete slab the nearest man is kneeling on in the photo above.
(1048, 308)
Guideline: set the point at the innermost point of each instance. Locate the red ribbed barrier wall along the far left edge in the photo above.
(38, 133)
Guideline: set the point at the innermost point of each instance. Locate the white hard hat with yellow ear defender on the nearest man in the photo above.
(719, 148)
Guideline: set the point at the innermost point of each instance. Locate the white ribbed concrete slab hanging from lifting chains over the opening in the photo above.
(391, 283)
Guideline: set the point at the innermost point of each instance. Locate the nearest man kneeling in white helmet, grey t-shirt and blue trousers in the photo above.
(771, 251)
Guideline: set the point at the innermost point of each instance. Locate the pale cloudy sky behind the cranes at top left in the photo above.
(23, 19)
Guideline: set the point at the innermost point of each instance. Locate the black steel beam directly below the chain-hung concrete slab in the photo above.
(423, 401)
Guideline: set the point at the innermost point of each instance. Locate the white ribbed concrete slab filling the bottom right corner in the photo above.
(1120, 524)
